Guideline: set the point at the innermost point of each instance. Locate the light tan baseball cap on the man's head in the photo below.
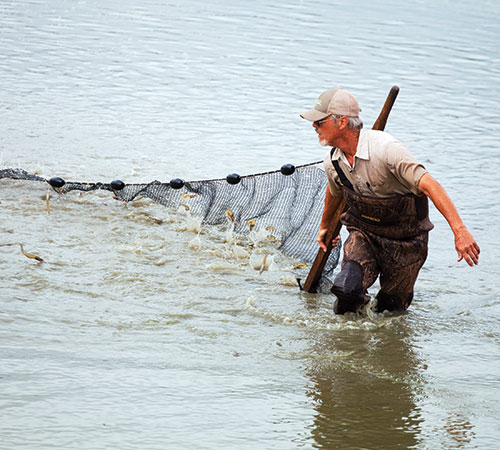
(333, 101)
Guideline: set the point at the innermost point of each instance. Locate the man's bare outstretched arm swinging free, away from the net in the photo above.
(465, 244)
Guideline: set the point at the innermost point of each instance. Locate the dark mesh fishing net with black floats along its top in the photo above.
(289, 202)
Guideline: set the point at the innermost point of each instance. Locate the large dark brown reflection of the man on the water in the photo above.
(364, 386)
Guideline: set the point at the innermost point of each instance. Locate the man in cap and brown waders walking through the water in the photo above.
(386, 192)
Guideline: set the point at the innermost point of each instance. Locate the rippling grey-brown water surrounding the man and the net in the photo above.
(132, 334)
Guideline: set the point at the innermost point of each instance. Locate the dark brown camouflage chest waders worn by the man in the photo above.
(387, 237)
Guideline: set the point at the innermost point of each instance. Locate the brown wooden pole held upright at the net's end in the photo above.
(311, 283)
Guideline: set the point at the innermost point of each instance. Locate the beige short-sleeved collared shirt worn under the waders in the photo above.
(382, 167)
